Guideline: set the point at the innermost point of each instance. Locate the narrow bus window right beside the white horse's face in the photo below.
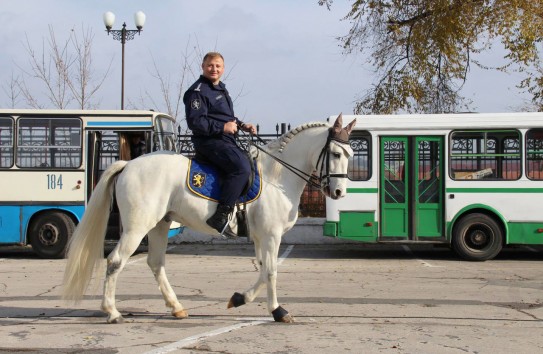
(360, 163)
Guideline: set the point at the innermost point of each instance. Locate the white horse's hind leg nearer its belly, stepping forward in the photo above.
(158, 241)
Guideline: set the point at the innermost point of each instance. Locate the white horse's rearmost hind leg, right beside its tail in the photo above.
(116, 261)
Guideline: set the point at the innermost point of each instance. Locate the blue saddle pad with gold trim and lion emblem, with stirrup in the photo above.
(203, 180)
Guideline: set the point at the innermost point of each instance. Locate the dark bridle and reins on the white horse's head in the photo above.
(323, 180)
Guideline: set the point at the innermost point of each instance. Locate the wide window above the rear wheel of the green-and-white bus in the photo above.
(489, 155)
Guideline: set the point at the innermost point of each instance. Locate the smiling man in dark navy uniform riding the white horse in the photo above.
(210, 116)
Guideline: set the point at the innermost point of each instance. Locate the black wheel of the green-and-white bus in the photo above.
(477, 237)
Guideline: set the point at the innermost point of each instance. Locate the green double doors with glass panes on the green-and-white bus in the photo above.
(411, 188)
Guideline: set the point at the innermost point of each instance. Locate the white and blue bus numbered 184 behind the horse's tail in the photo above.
(50, 161)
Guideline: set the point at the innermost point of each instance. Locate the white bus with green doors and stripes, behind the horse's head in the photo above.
(473, 181)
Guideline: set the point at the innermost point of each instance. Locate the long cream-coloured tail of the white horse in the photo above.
(86, 247)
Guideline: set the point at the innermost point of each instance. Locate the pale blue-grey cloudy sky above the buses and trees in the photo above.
(283, 61)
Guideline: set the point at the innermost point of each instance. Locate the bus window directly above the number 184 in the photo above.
(49, 143)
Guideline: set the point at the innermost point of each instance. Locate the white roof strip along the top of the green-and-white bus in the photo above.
(446, 121)
